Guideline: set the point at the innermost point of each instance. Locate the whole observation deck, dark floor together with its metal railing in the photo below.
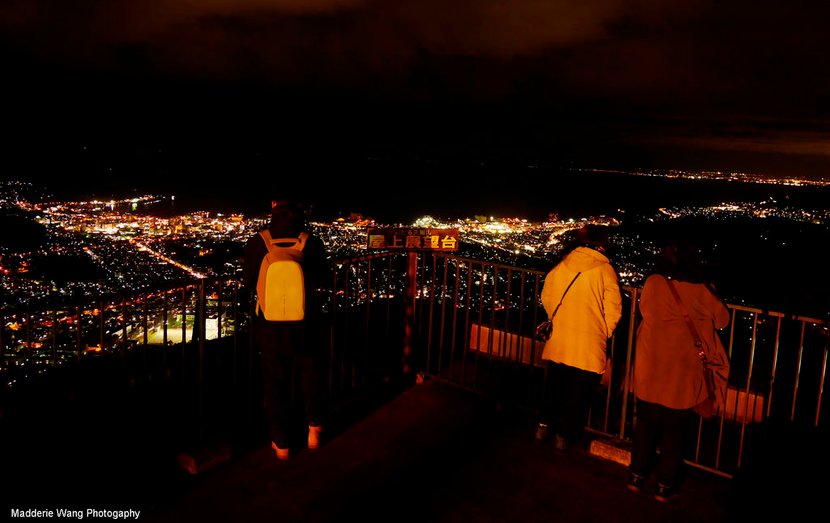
(434, 380)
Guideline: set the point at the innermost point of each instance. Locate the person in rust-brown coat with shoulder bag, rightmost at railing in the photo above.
(668, 375)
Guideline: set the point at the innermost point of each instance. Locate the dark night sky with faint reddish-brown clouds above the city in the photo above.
(739, 85)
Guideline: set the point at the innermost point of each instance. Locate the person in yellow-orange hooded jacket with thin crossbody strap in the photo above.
(585, 288)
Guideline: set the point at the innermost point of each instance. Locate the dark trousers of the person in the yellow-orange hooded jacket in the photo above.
(567, 399)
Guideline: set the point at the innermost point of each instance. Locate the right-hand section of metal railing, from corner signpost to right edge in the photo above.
(476, 322)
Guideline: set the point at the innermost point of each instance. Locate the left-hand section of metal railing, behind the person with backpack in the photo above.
(194, 343)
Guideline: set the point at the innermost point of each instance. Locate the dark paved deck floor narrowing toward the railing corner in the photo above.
(436, 454)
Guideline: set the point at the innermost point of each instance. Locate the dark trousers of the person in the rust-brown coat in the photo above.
(664, 428)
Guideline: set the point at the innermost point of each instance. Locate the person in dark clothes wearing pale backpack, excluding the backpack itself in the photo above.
(286, 347)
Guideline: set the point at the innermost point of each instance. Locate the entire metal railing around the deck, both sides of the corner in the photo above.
(463, 321)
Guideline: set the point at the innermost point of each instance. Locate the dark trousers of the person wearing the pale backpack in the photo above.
(285, 357)
